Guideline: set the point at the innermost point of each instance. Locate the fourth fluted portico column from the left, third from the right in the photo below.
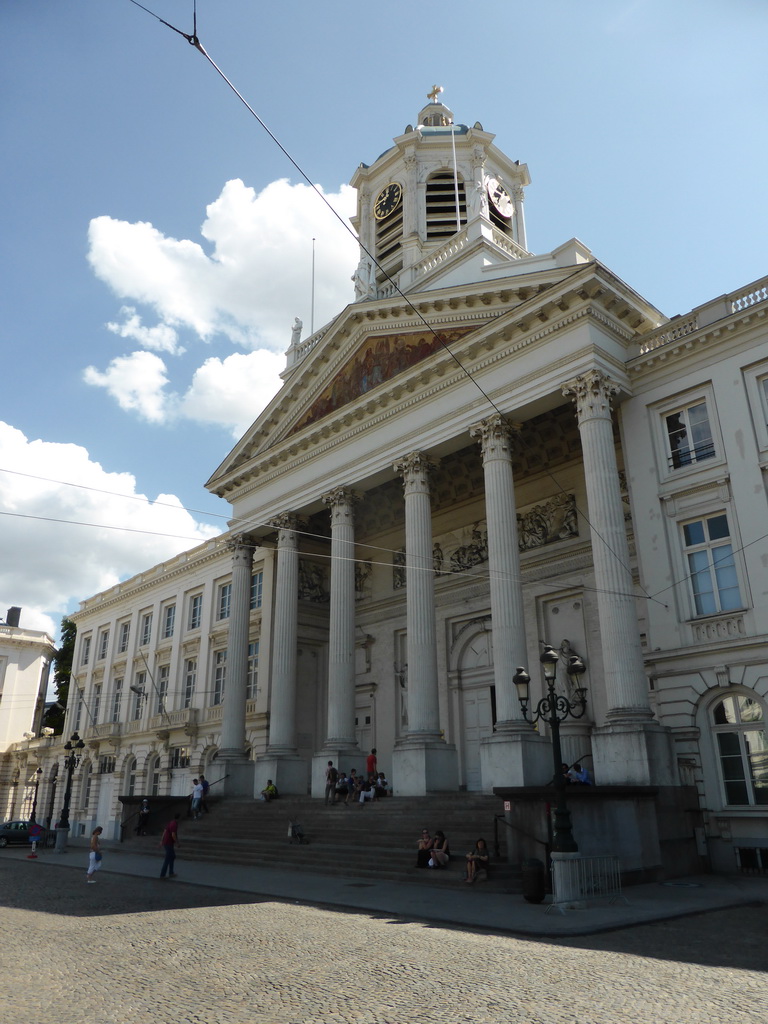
(423, 706)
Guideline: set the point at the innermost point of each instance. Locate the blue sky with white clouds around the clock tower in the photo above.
(157, 243)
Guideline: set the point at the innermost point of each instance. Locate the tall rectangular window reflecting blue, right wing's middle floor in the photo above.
(711, 564)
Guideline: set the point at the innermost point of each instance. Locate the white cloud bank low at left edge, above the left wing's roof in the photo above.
(48, 567)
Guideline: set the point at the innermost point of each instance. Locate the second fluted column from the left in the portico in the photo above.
(285, 651)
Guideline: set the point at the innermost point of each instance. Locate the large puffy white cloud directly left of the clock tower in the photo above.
(259, 276)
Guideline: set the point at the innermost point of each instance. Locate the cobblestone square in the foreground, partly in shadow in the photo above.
(132, 950)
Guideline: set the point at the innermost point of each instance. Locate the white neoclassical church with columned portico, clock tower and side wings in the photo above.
(487, 450)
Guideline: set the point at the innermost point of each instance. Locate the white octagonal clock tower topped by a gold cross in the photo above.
(438, 207)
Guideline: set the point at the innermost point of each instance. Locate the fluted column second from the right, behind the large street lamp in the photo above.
(508, 621)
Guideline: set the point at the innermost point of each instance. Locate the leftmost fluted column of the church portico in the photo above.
(234, 713)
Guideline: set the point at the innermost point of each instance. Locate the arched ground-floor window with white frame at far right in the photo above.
(739, 726)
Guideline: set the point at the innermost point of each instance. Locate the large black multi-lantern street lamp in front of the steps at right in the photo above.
(554, 709)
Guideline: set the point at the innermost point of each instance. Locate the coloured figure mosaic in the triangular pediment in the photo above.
(380, 360)
